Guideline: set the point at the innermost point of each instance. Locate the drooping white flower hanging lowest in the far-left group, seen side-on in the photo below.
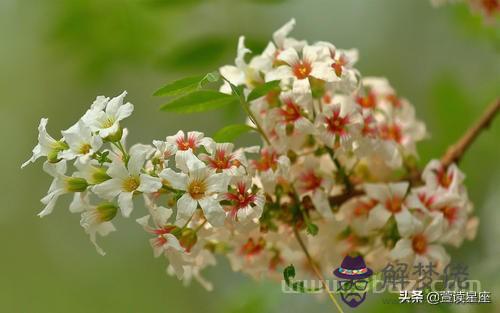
(96, 219)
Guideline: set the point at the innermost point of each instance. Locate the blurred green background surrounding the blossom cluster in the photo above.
(57, 55)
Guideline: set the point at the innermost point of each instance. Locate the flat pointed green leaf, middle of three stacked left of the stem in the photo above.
(199, 101)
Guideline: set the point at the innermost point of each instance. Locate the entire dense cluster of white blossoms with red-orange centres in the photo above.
(337, 161)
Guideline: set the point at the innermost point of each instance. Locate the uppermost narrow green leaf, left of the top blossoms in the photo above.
(186, 85)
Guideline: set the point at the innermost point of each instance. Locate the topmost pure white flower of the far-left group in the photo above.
(104, 115)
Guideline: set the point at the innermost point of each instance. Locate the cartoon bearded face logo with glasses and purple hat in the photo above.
(354, 280)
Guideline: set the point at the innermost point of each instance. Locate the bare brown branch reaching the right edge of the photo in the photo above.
(457, 150)
